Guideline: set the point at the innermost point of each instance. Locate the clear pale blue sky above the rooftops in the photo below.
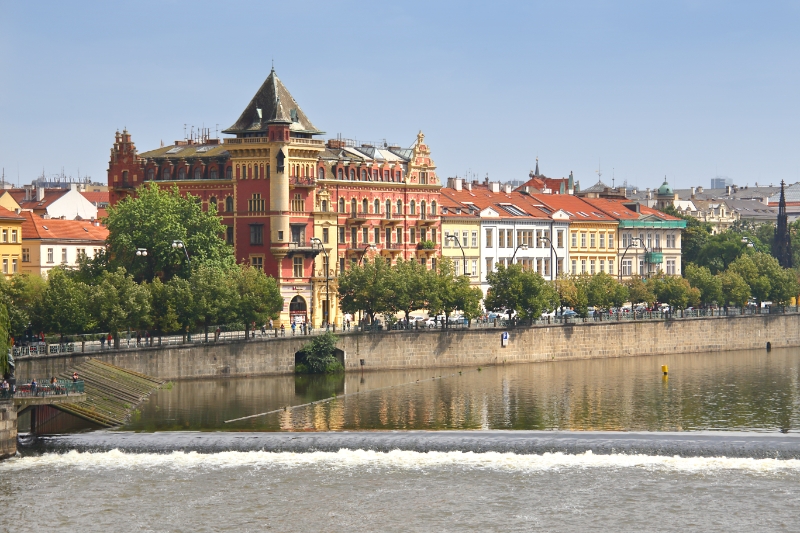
(640, 90)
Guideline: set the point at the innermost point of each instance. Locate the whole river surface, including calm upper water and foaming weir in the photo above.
(563, 446)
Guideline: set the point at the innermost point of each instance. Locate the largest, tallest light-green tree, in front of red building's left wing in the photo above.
(153, 219)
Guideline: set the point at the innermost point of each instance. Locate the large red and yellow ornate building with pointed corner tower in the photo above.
(294, 205)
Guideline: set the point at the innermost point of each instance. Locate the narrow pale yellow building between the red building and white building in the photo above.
(461, 236)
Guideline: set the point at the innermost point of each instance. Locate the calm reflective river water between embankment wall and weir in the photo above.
(749, 390)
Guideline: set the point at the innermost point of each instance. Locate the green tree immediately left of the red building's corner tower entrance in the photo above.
(259, 297)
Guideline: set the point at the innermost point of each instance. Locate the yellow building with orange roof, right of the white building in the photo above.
(592, 236)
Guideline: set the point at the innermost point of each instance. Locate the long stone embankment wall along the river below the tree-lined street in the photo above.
(471, 347)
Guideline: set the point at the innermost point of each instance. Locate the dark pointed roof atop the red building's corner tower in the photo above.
(277, 105)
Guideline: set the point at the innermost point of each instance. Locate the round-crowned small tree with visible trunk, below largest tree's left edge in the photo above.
(119, 303)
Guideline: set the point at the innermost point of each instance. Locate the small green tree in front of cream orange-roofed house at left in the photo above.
(65, 306)
